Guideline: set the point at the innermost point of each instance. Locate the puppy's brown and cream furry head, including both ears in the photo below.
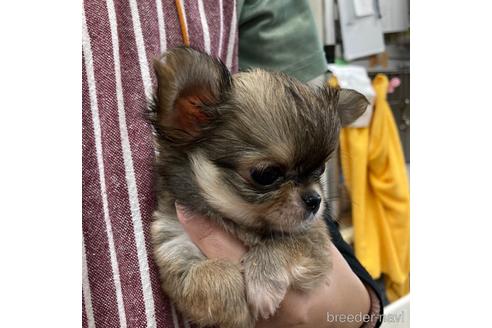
(250, 147)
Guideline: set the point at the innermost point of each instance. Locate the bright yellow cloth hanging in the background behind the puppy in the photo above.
(375, 174)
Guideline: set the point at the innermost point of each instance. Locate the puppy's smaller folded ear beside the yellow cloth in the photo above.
(351, 105)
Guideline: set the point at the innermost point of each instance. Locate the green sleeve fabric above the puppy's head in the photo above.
(280, 35)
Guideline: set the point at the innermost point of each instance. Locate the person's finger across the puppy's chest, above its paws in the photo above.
(213, 241)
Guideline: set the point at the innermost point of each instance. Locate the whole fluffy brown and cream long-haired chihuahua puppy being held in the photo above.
(247, 151)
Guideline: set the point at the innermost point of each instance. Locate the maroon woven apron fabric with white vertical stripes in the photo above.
(120, 283)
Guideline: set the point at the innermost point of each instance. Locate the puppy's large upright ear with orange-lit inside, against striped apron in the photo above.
(190, 85)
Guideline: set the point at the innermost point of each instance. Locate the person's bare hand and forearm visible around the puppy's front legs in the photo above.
(343, 294)
